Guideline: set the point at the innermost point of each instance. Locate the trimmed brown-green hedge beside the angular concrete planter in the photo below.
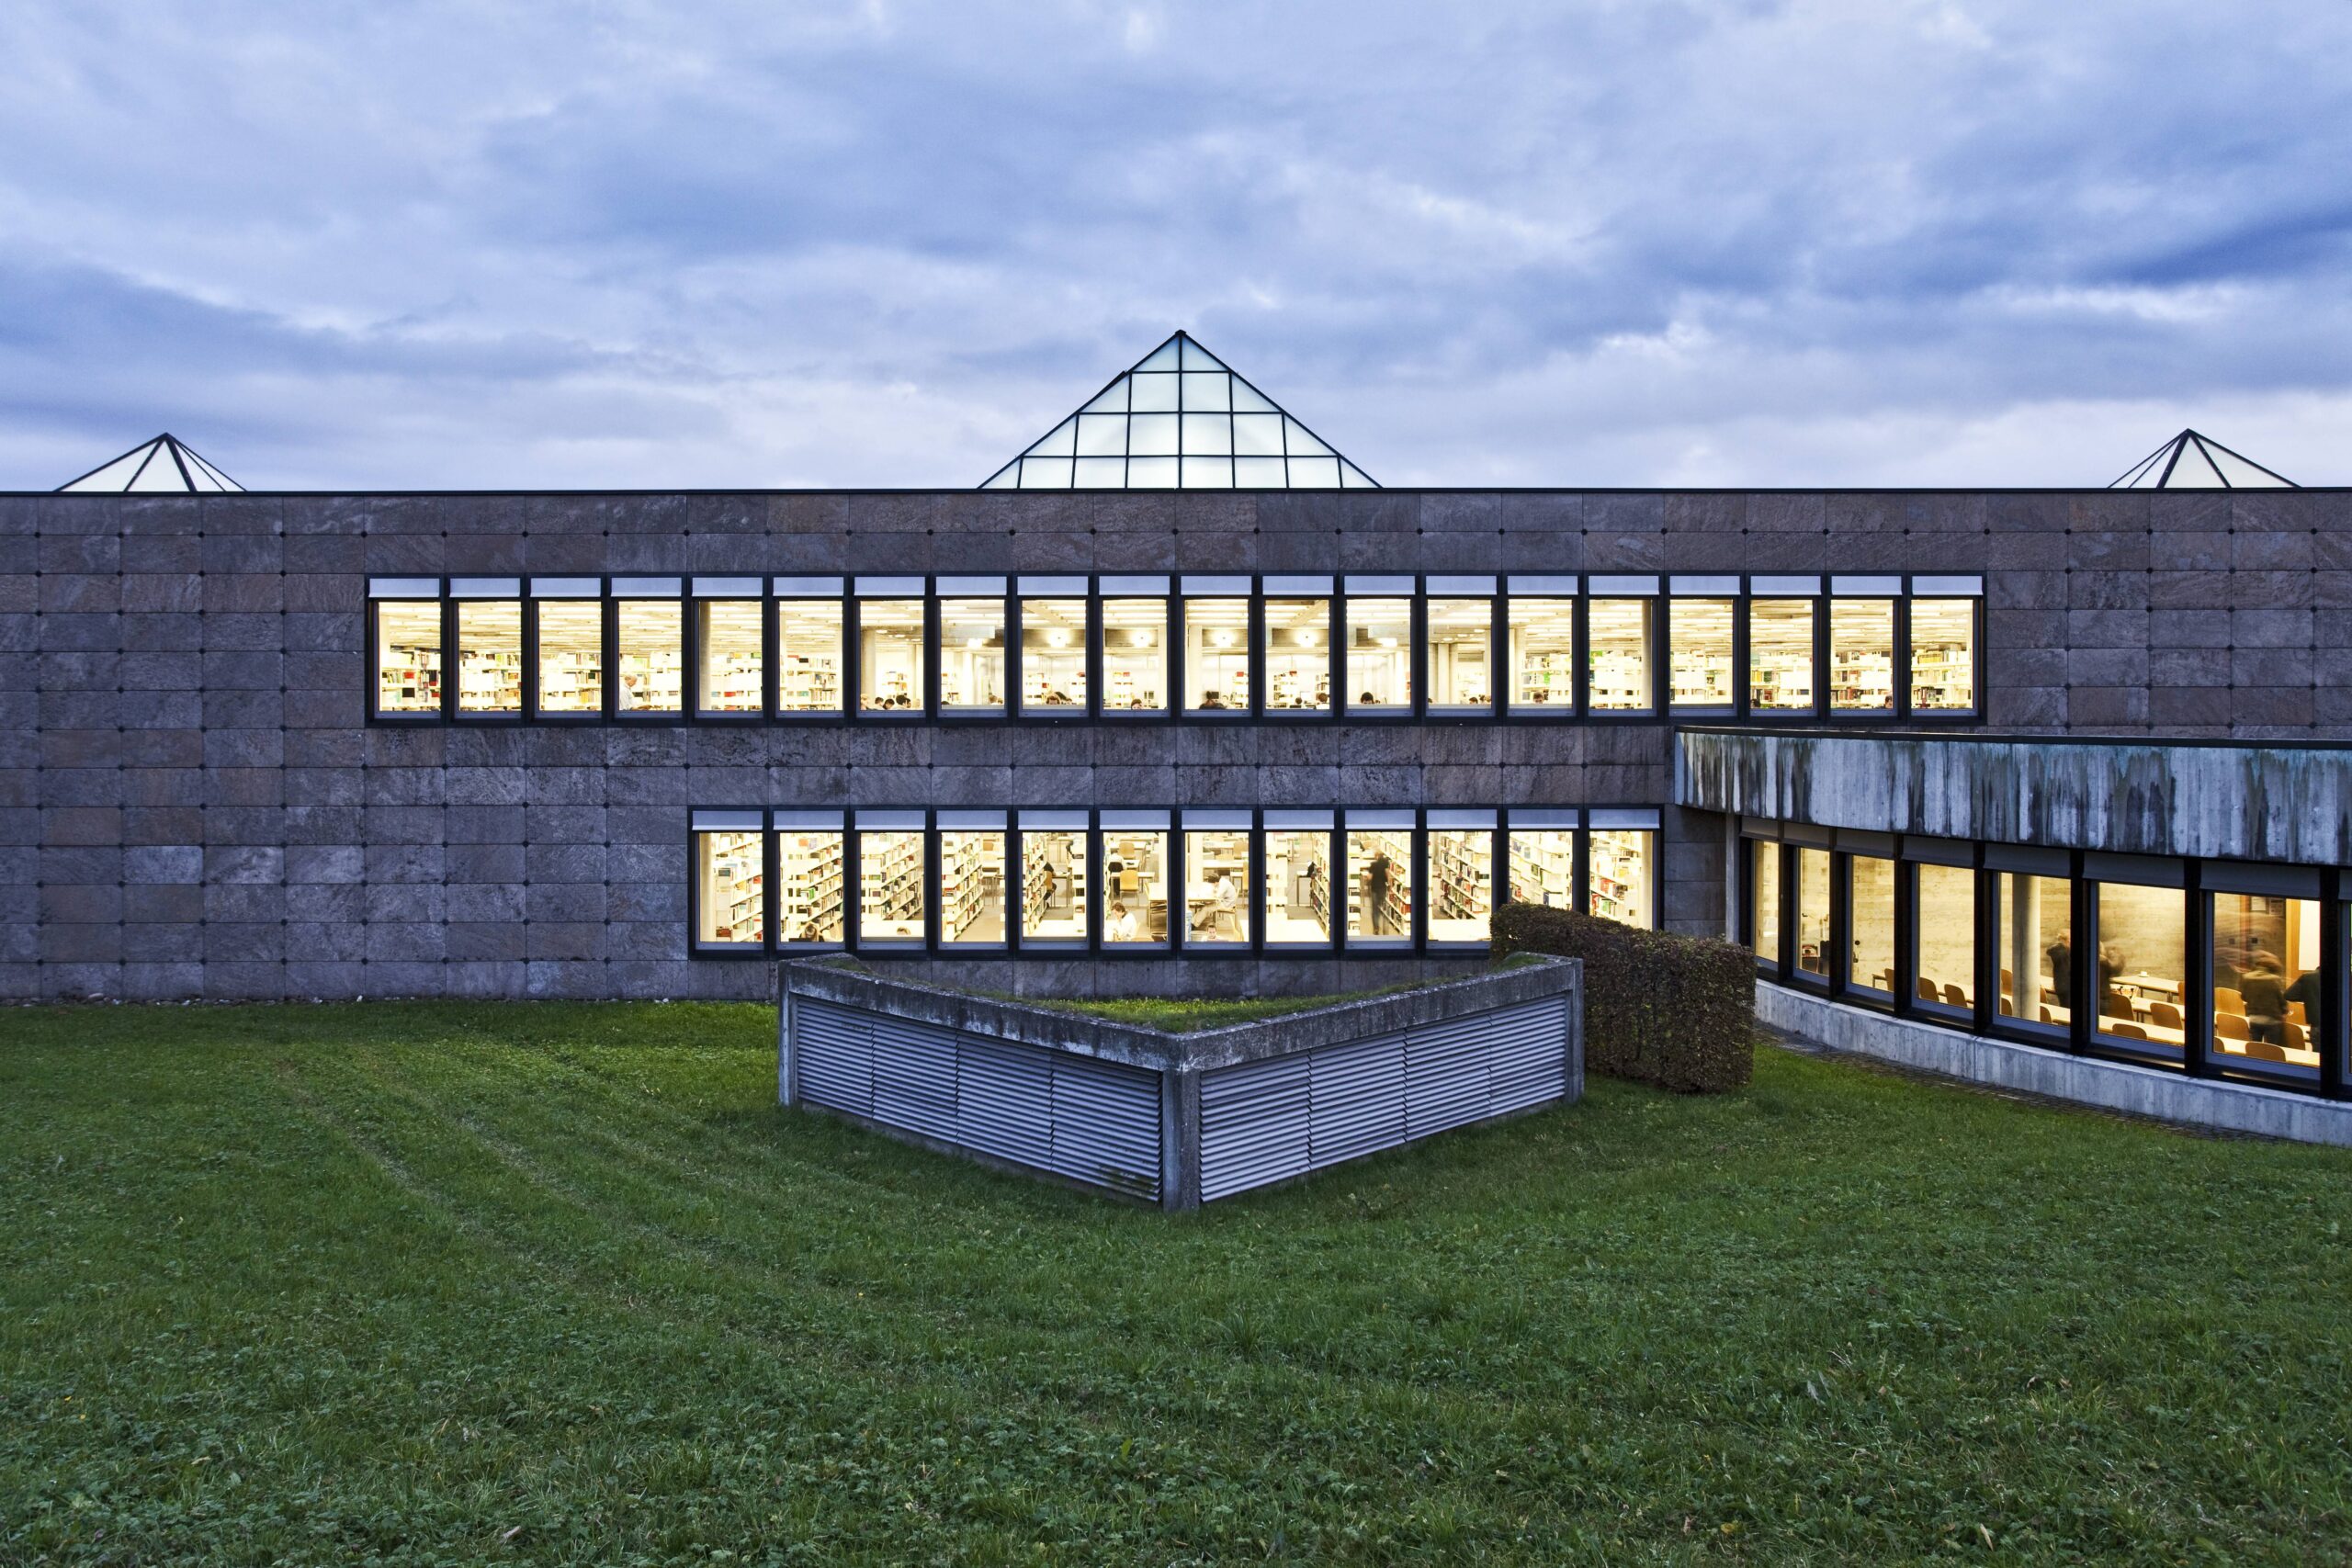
(1664, 1010)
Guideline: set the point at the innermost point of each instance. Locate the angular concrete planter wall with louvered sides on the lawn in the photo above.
(1177, 1120)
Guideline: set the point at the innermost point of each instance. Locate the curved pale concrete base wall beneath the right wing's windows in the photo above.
(2141, 1092)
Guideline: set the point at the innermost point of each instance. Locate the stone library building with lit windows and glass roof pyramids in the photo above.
(1180, 699)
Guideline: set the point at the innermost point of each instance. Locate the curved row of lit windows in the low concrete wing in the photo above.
(2219, 970)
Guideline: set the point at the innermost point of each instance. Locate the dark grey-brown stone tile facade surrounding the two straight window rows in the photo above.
(194, 808)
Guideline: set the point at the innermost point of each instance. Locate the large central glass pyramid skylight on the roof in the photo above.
(1180, 422)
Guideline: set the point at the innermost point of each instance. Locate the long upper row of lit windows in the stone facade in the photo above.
(1198, 648)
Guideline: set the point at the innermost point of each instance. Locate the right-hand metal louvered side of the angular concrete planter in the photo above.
(1262, 1123)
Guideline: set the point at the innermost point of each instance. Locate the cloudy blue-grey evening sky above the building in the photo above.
(1596, 243)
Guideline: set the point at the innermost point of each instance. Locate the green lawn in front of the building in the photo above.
(417, 1285)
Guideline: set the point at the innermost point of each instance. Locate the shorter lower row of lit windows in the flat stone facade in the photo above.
(1137, 883)
